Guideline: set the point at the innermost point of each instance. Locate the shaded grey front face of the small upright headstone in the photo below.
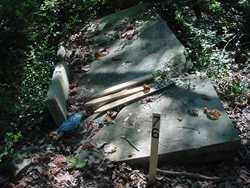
(56, 102)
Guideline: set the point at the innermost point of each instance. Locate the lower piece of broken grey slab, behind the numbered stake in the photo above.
(184, 135)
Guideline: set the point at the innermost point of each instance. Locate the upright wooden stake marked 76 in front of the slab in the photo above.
(153, 162)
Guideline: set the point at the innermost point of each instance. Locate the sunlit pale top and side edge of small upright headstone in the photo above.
(60, 74)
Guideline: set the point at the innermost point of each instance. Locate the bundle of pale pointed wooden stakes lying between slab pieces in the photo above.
(122, 94)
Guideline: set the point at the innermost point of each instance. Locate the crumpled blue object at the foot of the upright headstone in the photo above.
(70, 124)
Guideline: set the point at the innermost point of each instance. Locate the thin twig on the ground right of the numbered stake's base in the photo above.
(189, 175)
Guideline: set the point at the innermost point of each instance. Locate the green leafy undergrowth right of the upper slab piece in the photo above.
(214, 34)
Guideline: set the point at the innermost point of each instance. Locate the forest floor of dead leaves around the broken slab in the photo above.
(48, 166)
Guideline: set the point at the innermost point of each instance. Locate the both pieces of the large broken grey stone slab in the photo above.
(138, 43)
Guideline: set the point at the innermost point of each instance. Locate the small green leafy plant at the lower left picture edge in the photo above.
(10, 139)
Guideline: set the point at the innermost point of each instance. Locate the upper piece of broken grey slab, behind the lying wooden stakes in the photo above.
(154, 47)
